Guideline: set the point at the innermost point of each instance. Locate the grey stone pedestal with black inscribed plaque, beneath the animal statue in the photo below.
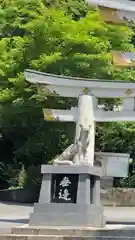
(69, 196)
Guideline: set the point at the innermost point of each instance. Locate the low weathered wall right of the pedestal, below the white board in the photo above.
(118, 196)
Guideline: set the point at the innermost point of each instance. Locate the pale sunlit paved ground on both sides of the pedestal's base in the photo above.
(12, 215)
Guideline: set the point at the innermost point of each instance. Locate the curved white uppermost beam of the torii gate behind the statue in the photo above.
(73, 87)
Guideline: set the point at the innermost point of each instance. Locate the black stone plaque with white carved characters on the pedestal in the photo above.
(64, 188)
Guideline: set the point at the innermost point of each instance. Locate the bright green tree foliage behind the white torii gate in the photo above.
(61, 37)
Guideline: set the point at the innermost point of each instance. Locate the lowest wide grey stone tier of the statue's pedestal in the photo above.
(95, 219)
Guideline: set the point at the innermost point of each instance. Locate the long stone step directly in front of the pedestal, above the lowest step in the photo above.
(85, 232)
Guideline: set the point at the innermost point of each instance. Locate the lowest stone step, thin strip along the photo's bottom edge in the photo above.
(53, 237)
